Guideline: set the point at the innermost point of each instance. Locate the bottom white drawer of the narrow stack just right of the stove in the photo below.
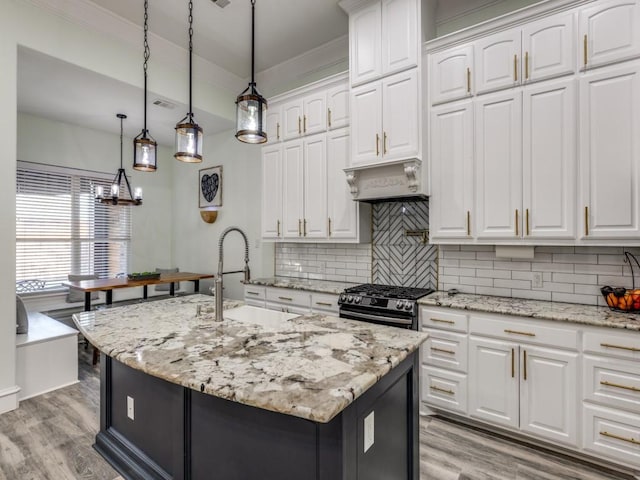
(444, 389)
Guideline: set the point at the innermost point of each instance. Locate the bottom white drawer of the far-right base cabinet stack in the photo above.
(613, 434)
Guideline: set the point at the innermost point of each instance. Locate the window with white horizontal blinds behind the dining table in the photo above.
(61, 229)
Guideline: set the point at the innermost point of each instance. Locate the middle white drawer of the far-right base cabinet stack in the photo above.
(612, 382)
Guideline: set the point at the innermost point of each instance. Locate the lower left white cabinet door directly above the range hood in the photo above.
(366, 124)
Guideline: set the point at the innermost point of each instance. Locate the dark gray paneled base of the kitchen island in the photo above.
(178, 433)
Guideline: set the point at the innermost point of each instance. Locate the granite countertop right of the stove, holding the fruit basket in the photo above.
(565, 312)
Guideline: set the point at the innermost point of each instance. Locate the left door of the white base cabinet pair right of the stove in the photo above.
(493, 381)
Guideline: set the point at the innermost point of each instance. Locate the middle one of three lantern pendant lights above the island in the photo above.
(188, 132)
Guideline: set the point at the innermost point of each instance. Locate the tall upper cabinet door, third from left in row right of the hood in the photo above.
(549, 159)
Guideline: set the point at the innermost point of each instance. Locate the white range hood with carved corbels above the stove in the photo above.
(398, 180)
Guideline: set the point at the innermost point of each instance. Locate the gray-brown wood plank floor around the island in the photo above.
(50, 437)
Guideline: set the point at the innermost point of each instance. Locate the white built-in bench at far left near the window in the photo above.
(47, 356)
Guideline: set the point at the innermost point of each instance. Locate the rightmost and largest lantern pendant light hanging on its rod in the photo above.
(250, 105)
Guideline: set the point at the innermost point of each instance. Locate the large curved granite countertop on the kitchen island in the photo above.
(312, 366)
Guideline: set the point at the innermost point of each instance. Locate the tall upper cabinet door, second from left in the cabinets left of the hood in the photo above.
(292, 189)
